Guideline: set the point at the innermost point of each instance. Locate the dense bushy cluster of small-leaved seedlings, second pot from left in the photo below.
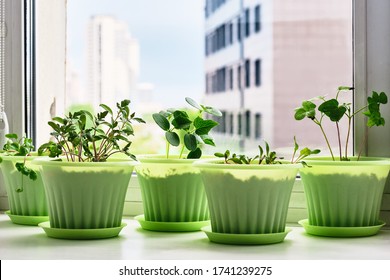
(109, 134)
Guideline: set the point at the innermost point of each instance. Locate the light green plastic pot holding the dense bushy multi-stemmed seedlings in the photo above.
(86, 195)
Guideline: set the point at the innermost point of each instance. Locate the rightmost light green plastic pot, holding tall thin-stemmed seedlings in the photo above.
(344, 193)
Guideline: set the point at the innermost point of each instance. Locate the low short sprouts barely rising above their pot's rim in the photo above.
(266, 156)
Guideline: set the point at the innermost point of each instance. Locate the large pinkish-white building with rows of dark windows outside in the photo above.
(262, 58)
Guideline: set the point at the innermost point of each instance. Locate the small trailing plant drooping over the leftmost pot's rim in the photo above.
(22, 147)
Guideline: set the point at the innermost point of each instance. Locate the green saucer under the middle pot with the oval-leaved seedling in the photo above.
(171, 226)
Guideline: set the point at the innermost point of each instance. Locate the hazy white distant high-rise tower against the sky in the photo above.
(112, 61)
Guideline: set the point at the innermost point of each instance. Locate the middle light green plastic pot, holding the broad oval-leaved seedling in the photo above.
(172, 190)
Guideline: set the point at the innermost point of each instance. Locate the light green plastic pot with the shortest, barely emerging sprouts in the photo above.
(247, 199)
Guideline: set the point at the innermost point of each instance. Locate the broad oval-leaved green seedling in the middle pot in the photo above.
(195, 129)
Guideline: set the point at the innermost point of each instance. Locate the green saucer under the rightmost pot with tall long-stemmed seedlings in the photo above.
(341, 231)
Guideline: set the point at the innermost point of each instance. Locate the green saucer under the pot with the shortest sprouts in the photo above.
(245, 239)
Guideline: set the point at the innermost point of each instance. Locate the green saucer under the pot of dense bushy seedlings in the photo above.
(97, 233)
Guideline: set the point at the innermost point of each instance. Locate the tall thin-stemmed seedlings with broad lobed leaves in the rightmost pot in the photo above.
(335, 111)
